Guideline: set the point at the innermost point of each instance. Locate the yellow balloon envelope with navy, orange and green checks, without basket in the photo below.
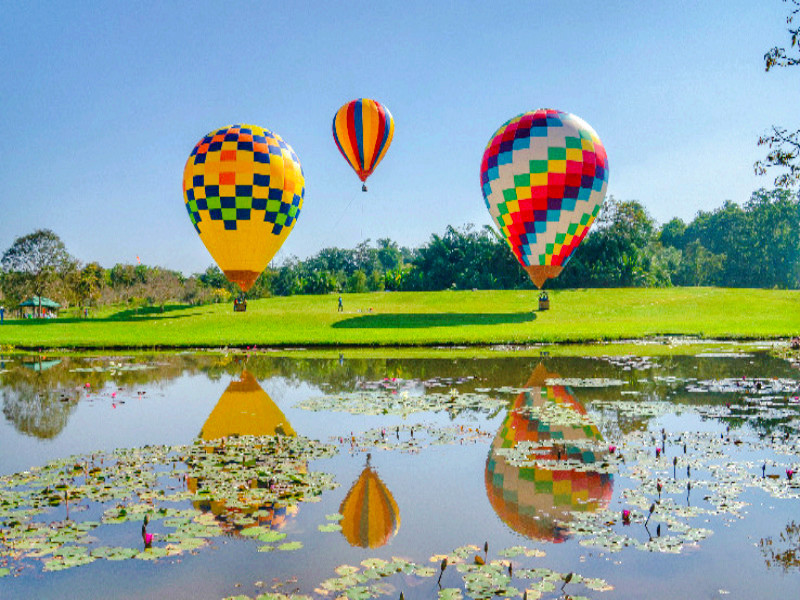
(243, 187)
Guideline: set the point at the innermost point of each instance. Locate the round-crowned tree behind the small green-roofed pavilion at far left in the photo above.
(38, 259)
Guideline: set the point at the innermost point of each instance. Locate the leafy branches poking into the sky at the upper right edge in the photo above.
(783, 144)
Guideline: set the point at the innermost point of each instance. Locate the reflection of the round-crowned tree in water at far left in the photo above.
(36, 411)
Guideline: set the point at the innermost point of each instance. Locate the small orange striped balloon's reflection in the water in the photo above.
(371, 516)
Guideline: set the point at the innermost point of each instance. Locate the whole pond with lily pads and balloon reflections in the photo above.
(250, 474)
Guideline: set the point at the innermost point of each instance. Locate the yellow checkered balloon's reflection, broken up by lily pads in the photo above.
(244, 409)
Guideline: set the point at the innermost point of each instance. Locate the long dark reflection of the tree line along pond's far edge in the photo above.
(343, 375)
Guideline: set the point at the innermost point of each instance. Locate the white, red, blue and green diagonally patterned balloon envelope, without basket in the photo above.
(544, 176)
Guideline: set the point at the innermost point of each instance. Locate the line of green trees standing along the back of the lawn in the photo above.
(754, 245)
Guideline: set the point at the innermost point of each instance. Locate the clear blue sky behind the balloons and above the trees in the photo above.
(101, 103)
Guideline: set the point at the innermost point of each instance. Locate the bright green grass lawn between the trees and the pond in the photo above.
(429, 319)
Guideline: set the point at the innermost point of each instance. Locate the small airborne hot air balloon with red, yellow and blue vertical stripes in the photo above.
(363, 130)
